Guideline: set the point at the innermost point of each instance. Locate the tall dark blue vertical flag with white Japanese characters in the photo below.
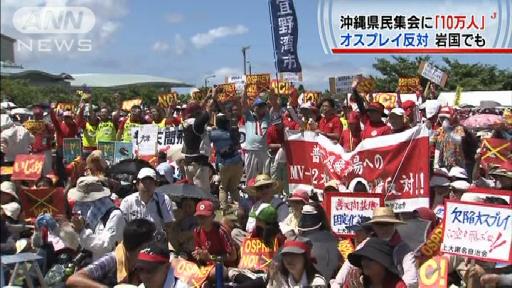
(285, 34)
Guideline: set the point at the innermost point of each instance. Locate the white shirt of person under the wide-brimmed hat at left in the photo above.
(104, 237)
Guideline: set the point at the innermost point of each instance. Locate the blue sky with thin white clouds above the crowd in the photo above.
(189, 39)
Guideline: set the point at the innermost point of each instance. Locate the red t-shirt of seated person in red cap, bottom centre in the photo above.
(217, 241)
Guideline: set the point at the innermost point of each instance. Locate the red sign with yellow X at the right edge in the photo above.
(496, 151)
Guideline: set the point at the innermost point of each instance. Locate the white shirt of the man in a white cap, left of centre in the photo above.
(134, 208)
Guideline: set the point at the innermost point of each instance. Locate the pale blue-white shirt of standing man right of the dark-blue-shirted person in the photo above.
(256, 131)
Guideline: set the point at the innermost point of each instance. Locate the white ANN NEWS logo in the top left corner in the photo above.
(62, 28)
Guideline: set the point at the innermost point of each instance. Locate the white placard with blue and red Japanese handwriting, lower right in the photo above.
(478, 230)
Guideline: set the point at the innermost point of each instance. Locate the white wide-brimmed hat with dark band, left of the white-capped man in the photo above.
(88, 189)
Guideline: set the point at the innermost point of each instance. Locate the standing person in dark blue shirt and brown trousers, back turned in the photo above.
(226, 141)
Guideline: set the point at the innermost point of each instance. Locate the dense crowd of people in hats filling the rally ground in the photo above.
(134, 238)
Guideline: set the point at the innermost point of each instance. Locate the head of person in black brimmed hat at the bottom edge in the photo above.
(375, 259)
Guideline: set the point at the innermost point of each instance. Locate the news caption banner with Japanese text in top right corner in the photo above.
(479, 26)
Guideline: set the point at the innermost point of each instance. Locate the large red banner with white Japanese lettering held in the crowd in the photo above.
(394, 164)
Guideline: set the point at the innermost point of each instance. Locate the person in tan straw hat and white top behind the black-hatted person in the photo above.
(384, 225)
